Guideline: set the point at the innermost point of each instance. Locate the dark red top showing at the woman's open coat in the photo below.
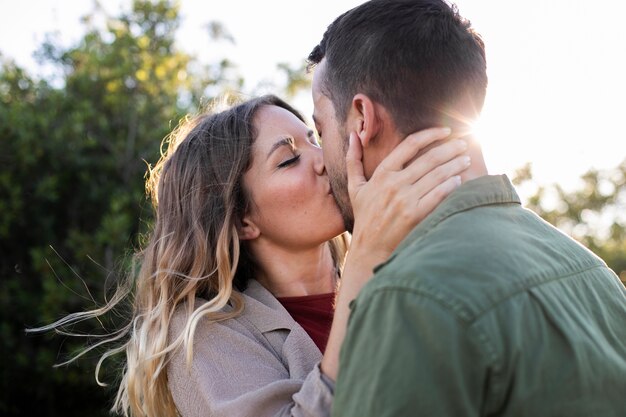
(314, 313)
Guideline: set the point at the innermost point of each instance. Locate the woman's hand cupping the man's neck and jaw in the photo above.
(403, 190)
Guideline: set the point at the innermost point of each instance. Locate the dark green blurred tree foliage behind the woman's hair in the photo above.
(72, 200)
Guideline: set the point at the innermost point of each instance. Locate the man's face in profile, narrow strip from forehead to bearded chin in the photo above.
(334, 145)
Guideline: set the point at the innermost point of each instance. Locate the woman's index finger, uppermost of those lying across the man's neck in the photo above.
(410, 147)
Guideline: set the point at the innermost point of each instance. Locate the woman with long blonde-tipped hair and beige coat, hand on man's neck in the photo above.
(247, 235)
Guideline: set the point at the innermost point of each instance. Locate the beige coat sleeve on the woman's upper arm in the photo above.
(233, 373)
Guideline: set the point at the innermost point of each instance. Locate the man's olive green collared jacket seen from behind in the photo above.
(486, 310)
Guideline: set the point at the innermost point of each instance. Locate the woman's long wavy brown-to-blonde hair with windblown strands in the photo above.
(197, 191)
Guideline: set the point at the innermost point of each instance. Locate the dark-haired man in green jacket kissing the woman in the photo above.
(484, 309)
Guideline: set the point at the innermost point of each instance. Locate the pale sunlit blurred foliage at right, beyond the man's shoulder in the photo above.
(594, 213)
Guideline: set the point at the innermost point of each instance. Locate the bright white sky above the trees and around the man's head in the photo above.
(557, 91)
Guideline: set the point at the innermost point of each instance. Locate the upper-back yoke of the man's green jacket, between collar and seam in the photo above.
(478, 259)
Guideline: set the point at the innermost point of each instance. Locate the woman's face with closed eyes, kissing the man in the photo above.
(287, 181)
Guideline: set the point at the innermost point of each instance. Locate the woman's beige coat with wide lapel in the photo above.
(261, 363)
